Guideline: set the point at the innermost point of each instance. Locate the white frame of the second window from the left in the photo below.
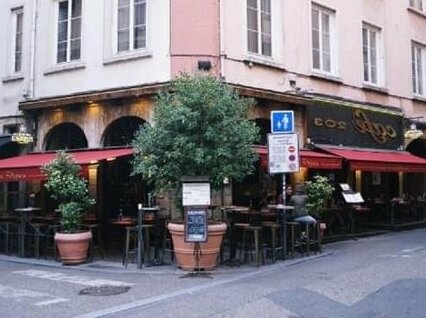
(68, 40)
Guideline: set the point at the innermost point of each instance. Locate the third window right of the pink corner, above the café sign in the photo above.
(370, 53)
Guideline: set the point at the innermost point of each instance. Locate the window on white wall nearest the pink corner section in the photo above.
(131, 25)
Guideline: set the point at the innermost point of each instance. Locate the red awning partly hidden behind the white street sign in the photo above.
(308, 159)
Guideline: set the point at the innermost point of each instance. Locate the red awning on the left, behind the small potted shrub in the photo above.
(27, 167)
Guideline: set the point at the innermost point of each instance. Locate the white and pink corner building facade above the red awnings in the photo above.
(82, 74)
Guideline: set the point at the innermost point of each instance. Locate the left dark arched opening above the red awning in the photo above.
(65, 136)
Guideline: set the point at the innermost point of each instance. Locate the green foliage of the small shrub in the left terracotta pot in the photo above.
(65, 185)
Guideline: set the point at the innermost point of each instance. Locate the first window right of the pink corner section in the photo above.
(259, 33)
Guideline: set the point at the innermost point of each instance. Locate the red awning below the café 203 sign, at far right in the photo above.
(379, 160)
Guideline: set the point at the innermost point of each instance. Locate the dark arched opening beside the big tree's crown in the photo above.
(121, 131)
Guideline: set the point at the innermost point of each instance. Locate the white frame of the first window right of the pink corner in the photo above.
(260, 31)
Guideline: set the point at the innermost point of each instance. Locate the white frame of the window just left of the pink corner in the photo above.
(131, 29)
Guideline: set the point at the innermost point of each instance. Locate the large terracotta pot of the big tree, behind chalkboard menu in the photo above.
(184, 251)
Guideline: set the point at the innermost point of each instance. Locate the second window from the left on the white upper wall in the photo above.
(69, 31)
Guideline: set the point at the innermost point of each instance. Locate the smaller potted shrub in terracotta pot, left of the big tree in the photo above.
(70, 190)
